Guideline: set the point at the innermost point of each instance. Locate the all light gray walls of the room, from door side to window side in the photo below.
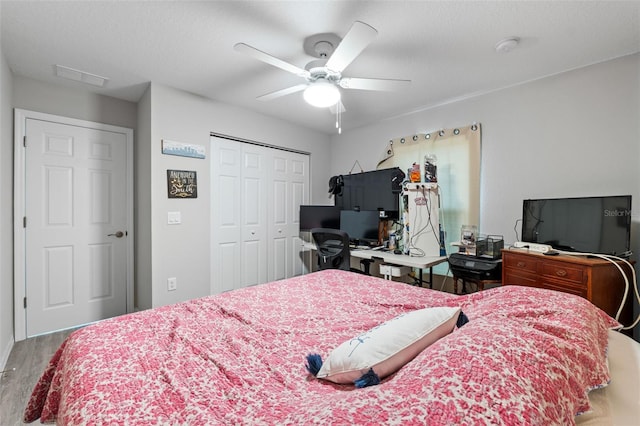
(571, 134)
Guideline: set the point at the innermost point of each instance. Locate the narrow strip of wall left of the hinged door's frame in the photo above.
(6, 211)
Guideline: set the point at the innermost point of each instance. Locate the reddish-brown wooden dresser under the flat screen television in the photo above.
(595, 279)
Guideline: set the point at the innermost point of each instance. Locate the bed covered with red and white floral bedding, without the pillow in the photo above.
(525, 356)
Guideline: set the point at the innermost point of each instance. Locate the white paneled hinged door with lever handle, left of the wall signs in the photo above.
(76, 226)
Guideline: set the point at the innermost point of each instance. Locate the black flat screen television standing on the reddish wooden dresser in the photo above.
(582, 224)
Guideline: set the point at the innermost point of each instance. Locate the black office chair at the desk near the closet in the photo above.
(332, 248)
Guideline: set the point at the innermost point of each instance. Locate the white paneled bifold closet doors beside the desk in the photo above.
(256, 195)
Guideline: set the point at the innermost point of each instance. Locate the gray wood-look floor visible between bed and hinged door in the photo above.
(29, 358)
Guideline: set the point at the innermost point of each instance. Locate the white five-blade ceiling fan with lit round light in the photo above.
(324, 75)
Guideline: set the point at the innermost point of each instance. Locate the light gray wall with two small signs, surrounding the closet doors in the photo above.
(183, 251)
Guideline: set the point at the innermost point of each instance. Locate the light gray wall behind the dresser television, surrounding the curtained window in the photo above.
(572, 134)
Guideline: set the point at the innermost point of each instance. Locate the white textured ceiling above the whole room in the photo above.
(445, 48)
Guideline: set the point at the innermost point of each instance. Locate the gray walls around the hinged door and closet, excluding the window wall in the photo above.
(162, 113)
